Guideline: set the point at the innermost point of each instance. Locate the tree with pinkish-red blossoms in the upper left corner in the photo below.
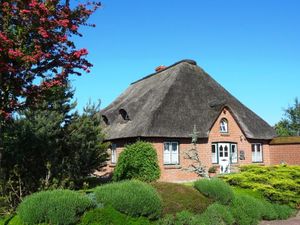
(35, 45)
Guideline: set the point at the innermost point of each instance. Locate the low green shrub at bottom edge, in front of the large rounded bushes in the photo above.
(108, 216)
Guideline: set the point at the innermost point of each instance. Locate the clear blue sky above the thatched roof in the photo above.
(251, 47)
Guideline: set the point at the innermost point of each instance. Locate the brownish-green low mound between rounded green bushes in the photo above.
(179, 197)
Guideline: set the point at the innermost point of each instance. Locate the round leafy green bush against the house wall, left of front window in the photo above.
(137, 161)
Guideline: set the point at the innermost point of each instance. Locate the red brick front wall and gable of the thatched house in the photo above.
(179, 173)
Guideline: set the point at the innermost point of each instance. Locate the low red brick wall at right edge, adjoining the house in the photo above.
(287, 153)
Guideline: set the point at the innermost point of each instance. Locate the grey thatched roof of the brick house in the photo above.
(170, 102)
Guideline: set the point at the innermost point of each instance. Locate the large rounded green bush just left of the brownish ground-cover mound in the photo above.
(133, 198)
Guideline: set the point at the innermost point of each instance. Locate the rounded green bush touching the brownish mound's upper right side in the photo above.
(216, 189)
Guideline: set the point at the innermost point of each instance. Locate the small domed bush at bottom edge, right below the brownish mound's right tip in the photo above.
(217, 214)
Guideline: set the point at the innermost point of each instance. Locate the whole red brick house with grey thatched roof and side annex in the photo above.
(164, 107)
